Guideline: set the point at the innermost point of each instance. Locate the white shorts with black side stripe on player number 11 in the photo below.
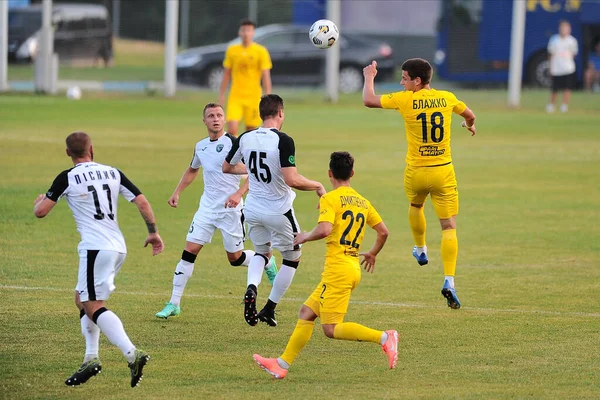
(97, 271)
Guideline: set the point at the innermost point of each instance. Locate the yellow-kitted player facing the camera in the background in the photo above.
(246, 64)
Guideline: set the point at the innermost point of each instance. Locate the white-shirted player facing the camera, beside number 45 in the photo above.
(220, 207)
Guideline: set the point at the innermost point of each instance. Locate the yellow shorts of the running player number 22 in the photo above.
(331, 297)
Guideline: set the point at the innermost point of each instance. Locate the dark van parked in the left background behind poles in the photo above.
(81, 32)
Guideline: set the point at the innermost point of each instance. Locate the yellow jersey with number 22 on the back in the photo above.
(349, 213)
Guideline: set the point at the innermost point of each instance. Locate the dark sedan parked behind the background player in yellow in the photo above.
(295, 60)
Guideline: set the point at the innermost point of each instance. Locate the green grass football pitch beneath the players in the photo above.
(528, 273)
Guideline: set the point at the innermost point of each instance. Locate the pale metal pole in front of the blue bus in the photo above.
(517, 39)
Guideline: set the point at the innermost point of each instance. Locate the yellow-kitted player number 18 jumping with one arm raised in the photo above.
(427, 117)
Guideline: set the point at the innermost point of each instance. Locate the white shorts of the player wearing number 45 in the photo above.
(275, 229)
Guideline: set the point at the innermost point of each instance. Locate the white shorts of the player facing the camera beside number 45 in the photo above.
(230, 223)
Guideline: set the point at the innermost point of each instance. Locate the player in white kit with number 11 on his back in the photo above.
(92, 191)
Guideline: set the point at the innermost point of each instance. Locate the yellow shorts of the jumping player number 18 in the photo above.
(439, 182)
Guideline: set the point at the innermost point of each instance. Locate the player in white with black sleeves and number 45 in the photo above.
(270, 162)
